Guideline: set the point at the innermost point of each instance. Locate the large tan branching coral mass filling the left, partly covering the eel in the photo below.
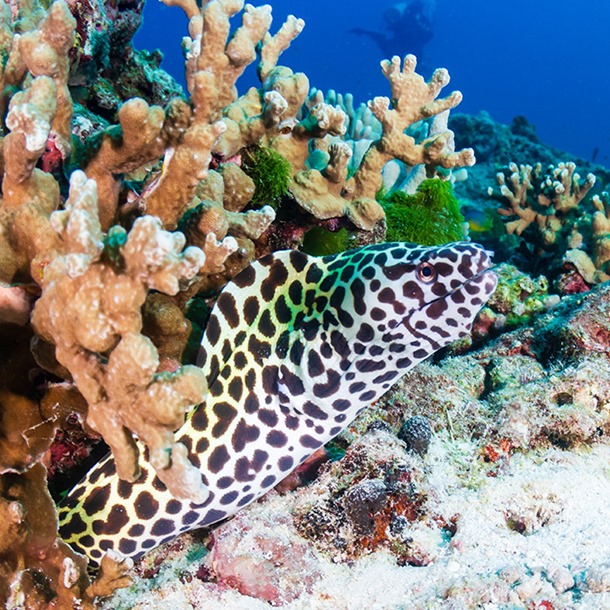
(95, 265)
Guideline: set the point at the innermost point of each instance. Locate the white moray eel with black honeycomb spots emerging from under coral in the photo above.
(295, 348)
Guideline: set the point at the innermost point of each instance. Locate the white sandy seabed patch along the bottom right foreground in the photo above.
(563, 561)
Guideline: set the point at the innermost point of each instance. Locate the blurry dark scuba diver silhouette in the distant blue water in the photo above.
(408, 29)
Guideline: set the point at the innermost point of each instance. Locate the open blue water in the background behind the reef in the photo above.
(547, 60)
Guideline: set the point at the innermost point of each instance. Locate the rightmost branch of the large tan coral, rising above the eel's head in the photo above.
(413, 100)
